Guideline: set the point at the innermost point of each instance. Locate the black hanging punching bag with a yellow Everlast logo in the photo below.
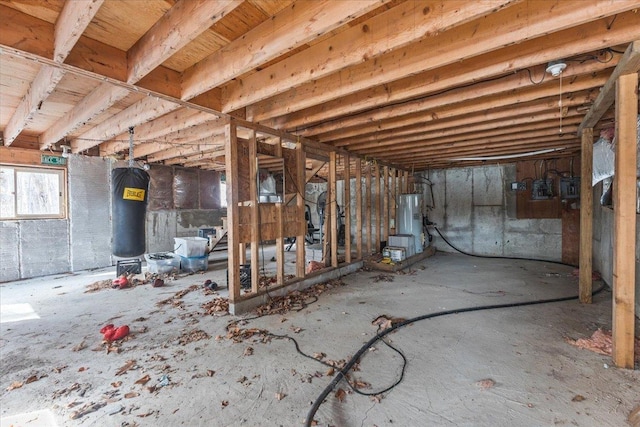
(130, 188)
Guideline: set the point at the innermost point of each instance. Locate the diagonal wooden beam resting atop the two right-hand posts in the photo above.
(629, 63)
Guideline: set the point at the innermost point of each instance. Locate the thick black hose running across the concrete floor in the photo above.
(343, 372)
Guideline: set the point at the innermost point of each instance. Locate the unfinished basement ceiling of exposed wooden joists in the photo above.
(415, 84)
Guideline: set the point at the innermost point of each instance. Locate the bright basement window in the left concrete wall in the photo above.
(32, 193)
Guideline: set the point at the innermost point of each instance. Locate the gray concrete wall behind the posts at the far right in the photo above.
(603, 243)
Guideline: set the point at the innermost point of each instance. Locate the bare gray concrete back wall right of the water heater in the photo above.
(475, 209)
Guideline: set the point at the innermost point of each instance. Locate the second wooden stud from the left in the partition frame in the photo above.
(255, 214)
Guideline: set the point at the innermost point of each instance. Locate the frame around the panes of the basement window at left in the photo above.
(61, 173)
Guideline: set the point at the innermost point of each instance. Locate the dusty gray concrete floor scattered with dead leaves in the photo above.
(537, 374)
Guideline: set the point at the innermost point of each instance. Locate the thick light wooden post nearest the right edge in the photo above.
(624, 222)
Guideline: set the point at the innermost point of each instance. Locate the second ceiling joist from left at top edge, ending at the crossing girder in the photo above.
(186, 20)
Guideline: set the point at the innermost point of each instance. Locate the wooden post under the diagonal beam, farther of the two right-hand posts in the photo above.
(586, 217)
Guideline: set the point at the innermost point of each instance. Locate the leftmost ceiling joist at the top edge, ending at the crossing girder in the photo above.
(71, 23)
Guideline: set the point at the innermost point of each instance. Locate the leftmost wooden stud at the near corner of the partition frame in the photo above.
(233, 226)
